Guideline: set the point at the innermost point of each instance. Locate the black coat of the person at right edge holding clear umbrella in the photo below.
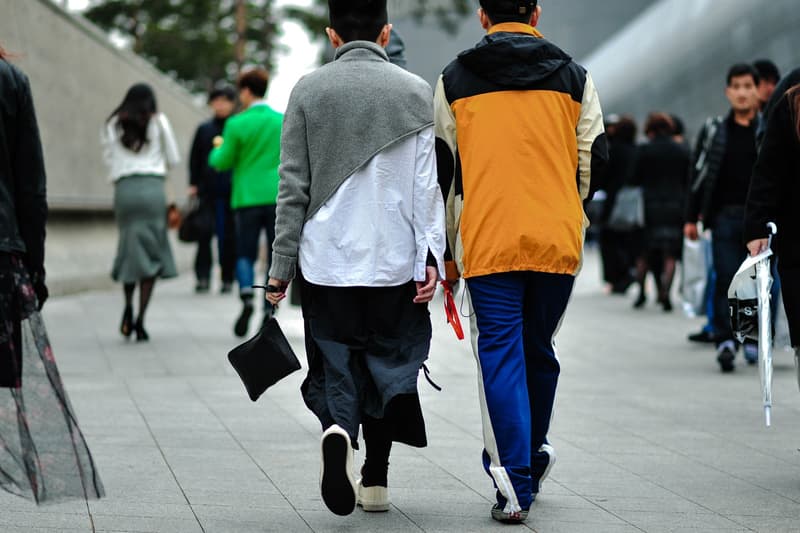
(775, 186)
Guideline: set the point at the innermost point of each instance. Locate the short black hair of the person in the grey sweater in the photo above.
(358, 20)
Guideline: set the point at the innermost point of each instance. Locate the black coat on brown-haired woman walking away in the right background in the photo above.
(662, 169)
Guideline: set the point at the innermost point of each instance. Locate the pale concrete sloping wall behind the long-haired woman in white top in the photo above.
(78, 78)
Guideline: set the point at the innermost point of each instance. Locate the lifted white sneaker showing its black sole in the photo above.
(337, 485)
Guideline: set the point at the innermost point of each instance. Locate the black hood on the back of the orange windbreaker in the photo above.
(514, 59)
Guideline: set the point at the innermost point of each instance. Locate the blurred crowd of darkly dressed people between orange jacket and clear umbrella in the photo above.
(662, 198)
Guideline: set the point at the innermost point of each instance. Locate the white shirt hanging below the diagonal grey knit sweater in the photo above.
(378, 227)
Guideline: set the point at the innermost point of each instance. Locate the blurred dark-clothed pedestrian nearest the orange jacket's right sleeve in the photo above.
(616, 246)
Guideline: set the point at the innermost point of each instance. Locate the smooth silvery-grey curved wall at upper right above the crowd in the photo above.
(675, 56)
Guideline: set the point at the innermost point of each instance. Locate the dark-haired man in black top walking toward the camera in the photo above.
(724, 157)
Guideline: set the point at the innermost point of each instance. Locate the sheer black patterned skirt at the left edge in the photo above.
(43, 454)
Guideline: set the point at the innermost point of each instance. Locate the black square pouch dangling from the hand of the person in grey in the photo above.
(264, 360)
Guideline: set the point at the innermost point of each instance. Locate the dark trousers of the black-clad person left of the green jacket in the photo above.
(225, 230)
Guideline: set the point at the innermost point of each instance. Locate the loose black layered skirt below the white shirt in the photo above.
(365, 347)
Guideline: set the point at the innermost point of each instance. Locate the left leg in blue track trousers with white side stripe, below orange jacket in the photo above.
(498, 304)
